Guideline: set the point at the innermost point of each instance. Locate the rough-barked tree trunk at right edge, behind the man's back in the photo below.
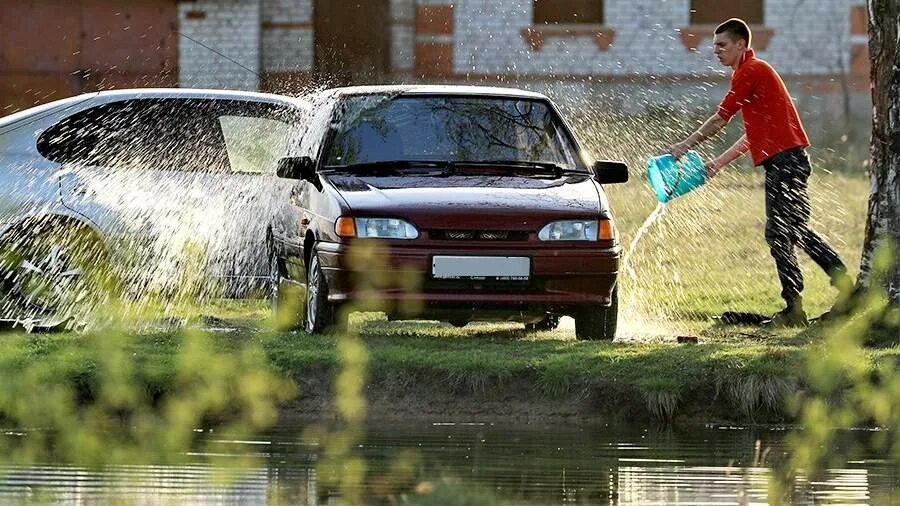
(883, 222)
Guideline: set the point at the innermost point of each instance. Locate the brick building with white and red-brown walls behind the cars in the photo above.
(55, 48)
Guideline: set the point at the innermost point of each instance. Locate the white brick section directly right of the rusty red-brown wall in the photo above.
(231, 27)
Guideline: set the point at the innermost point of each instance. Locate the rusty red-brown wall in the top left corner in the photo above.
(51, 49)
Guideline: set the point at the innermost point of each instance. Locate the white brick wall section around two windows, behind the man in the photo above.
(810, 37)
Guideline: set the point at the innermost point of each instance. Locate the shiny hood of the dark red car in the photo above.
(472, 201)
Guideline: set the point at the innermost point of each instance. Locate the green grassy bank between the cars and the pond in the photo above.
(490, 372)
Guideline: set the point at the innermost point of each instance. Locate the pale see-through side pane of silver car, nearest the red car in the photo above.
(254, 144)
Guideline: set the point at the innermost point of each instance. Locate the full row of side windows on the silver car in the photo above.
(169, 134)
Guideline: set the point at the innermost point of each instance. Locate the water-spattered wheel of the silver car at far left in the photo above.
(56, 275)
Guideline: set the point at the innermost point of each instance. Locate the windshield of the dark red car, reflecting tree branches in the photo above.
(379, 128)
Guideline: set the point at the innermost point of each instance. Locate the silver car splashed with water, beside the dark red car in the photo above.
(147, 191)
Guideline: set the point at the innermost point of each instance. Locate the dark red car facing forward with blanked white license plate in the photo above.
(481, 196)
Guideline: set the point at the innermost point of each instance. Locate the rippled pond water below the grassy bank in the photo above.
(476, 463)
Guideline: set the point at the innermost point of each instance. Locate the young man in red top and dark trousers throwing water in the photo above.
(776, 140)
